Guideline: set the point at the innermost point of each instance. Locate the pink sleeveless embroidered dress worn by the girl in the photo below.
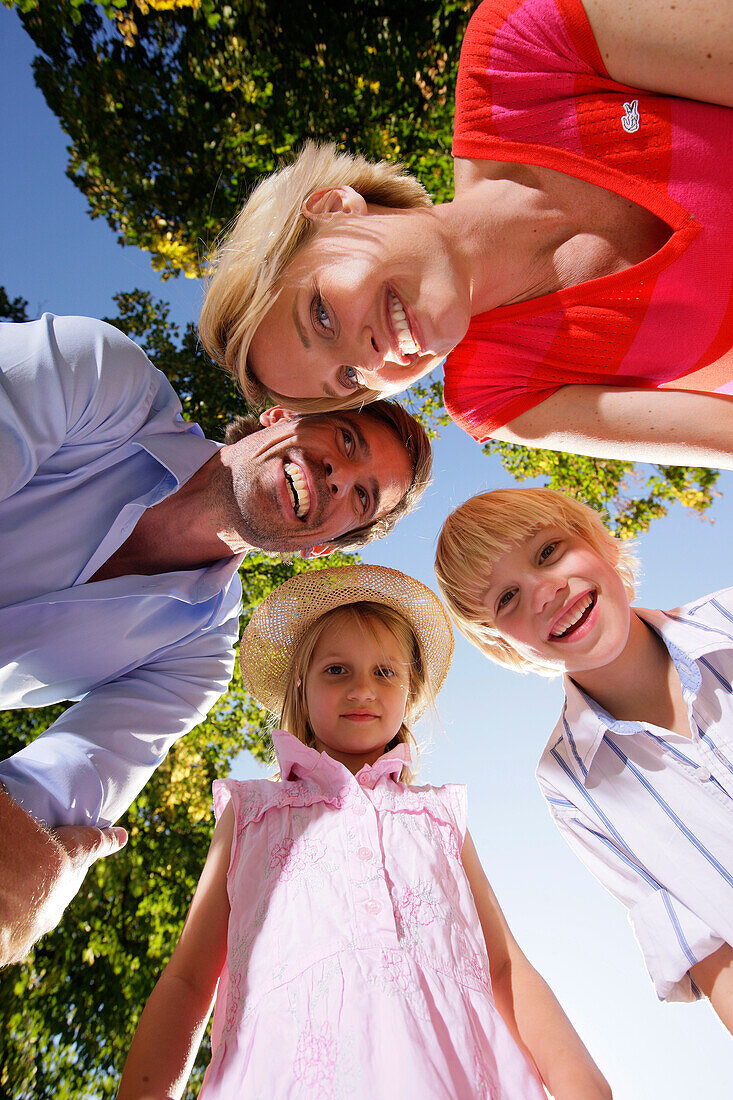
(356, 964)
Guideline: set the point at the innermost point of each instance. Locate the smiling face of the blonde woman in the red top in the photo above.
(373, 301)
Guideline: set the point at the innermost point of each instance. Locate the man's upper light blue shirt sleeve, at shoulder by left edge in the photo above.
(63, 380)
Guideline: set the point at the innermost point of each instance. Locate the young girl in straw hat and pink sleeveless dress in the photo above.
(357, 943)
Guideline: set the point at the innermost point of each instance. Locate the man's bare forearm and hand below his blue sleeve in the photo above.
(41, 873)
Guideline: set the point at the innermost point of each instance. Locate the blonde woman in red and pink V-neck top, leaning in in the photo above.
(582, 277)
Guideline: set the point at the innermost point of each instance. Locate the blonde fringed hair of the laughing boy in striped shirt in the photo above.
(488, 526)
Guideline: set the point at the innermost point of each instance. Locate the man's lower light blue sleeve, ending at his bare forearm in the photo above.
(90, 766)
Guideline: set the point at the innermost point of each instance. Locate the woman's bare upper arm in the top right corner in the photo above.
(684, 49)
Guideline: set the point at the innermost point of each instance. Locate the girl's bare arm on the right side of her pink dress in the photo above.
(528, 1005)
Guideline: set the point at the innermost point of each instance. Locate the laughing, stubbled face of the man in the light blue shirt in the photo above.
(303, 481)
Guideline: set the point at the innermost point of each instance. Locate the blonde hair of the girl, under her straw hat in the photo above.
(294, 713)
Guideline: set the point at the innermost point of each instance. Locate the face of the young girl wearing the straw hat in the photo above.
(356, 691)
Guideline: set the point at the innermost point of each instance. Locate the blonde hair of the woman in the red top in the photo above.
(250, 261)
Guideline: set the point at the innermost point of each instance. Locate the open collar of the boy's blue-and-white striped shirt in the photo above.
(585, 722)
